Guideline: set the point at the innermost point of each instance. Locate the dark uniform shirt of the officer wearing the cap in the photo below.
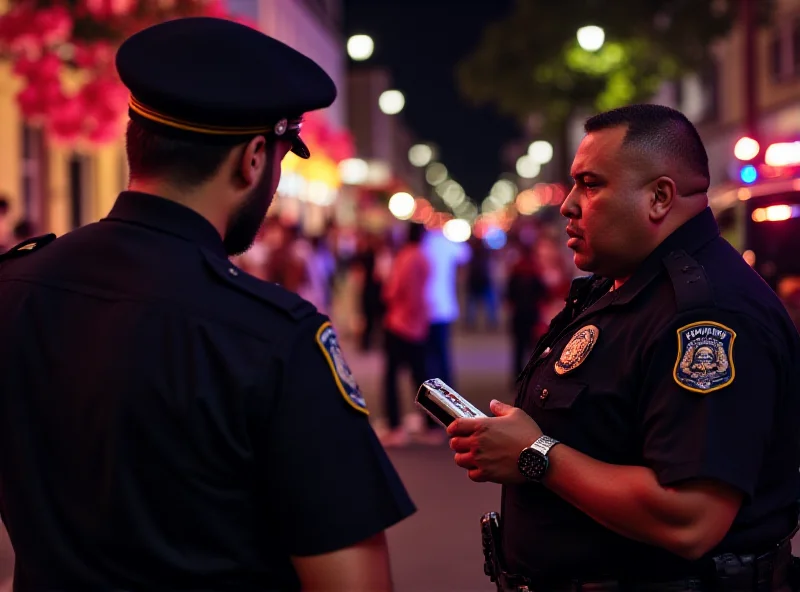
(168, 421)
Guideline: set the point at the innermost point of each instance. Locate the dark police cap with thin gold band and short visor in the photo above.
(217, 81)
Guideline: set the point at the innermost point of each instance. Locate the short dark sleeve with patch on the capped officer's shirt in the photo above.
(330, 479)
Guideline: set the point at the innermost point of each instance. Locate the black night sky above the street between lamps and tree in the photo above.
(421, 42)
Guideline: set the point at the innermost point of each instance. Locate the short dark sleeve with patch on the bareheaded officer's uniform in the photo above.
(710, 389)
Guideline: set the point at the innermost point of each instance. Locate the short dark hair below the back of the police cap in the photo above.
(182, 162)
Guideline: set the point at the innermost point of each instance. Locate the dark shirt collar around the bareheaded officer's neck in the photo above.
(690, 237)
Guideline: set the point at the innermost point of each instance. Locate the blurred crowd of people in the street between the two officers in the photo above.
(403, 292)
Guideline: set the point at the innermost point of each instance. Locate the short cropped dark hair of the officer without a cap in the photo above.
(660, 129)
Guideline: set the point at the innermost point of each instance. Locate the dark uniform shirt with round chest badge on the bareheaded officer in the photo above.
(690, 368)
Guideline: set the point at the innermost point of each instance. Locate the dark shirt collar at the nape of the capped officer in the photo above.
(167, 216)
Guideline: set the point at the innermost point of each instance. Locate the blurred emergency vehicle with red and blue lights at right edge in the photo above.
(760, 215)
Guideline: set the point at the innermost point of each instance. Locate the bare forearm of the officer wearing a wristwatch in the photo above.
(630, 501)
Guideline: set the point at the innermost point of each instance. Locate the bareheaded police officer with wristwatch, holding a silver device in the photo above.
(654, 443)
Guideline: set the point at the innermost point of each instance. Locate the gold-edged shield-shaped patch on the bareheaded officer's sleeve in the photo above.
(705, 357)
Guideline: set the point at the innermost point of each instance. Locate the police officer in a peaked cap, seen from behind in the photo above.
(168, 422)
